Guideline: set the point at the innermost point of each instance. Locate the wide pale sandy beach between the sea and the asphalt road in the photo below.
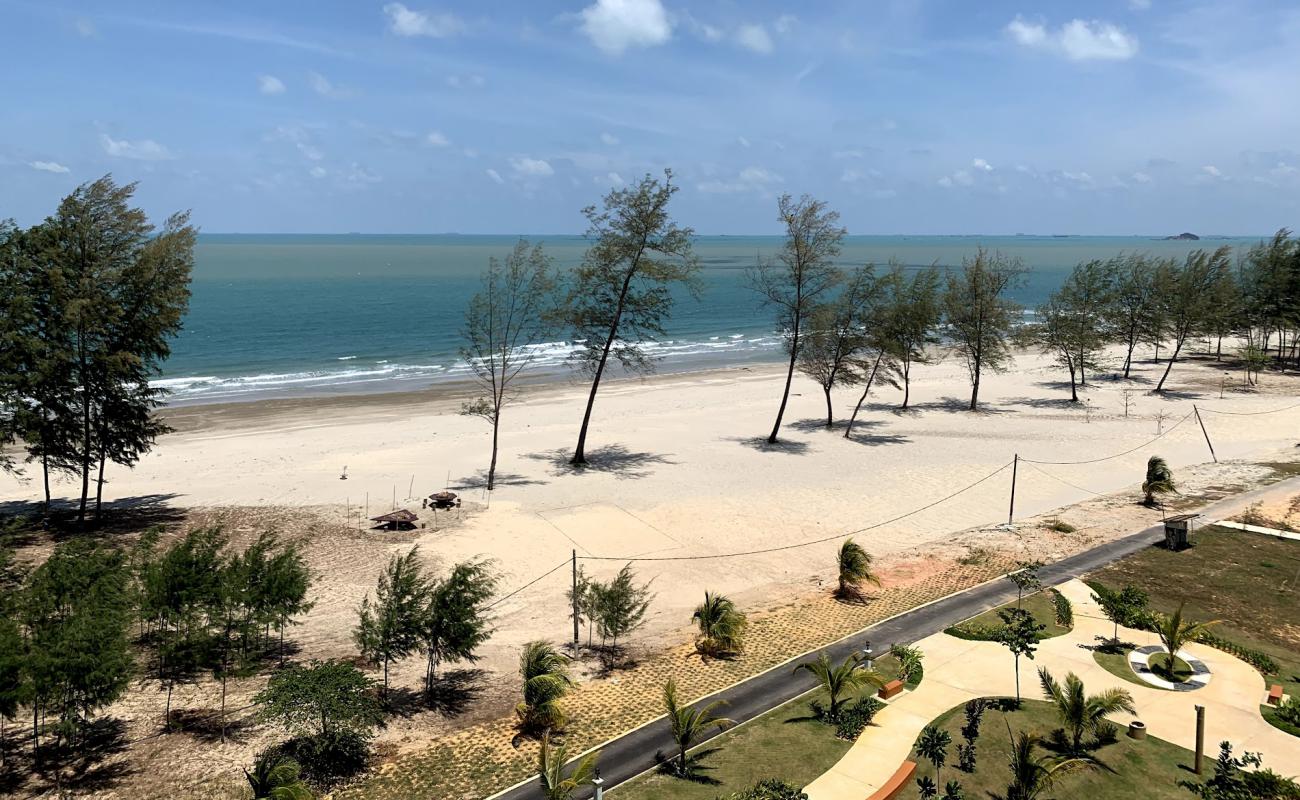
(679, 472)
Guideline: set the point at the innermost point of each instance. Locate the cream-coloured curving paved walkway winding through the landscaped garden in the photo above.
(959, 671)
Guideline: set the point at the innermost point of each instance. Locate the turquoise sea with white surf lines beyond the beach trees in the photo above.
(297, 315)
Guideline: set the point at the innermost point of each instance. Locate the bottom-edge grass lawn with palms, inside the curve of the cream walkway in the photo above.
(1150, 769)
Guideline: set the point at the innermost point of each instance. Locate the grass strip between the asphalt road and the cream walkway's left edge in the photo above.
(786, 743)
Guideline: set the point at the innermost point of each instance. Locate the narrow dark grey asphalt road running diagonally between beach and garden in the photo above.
(635, 753)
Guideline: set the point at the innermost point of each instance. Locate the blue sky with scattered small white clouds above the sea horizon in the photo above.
(437, 116)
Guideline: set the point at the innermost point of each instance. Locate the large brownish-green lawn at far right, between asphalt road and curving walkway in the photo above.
(1237, 578)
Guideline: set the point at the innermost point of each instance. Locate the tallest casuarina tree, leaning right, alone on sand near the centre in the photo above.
(623, 291)
